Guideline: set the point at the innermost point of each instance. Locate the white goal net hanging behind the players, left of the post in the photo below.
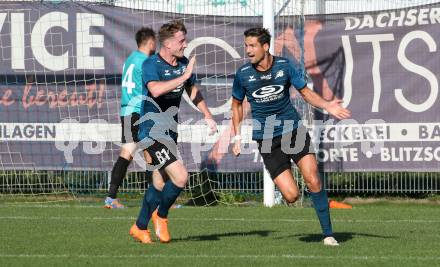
(60, 93)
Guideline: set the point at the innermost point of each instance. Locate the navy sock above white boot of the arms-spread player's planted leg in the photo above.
(320, 203)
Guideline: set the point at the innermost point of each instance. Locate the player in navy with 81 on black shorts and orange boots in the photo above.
(166, 76)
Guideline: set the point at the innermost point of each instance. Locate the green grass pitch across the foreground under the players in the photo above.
(78, 234)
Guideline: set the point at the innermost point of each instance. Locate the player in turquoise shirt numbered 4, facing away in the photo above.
(131, 100)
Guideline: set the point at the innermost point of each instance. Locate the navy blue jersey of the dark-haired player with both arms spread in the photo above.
(268, 95)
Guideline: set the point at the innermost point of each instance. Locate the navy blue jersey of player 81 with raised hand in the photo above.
(155, 68)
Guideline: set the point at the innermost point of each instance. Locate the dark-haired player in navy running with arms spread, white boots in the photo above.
(265, 82)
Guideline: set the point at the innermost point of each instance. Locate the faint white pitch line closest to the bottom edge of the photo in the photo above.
(207, 256)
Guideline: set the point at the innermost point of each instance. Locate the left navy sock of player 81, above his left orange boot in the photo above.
(149, 204)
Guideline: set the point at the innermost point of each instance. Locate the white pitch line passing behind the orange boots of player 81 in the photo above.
(124, 218)
